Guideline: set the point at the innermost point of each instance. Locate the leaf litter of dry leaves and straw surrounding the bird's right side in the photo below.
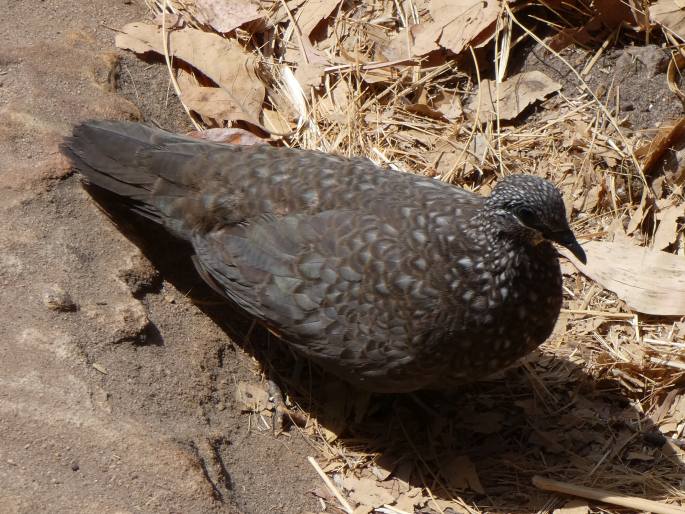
(433, 87)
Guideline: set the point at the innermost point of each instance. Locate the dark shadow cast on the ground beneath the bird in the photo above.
(483, 442)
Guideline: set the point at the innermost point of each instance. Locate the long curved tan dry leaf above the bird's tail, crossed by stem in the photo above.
(222, 60)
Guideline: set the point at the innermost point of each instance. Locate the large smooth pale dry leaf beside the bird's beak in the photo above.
(649, 281)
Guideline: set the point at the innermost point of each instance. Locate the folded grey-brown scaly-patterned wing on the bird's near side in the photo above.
(335, 283)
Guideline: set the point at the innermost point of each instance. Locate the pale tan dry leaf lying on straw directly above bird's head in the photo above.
(511, 97)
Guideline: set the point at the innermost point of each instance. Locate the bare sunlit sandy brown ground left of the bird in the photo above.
(127, 403)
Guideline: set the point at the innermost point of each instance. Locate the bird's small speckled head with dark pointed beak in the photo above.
(531, 207)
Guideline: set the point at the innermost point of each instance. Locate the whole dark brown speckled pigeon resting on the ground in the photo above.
(392, 281)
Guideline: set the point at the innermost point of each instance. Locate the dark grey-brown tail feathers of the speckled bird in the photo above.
(141, 164)
